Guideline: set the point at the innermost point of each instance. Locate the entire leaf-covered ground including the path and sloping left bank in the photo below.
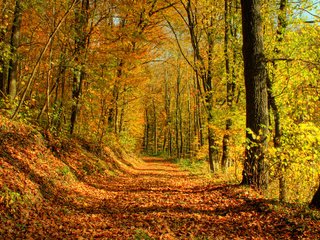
(66, 189)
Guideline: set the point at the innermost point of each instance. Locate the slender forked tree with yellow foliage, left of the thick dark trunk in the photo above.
(200, 19)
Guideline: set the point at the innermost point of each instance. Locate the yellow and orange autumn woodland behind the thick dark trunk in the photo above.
(166, 78)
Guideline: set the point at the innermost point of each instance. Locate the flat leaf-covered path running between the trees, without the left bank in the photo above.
(159, 201)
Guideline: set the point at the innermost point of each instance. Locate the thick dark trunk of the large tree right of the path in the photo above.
(254, 172)
